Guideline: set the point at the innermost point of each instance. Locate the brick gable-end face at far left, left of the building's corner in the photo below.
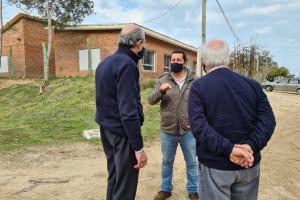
(10, 39)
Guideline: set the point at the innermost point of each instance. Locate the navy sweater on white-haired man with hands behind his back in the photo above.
(226, 108)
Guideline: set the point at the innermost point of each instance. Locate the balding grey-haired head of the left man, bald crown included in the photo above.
(130, 35)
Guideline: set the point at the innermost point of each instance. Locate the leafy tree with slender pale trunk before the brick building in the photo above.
(59, 14)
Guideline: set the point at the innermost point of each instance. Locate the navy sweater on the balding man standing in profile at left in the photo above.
(118, 99)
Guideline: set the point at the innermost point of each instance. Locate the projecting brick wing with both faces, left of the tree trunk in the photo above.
(27, 54)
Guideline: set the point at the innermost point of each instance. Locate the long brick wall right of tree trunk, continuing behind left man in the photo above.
(68, 44)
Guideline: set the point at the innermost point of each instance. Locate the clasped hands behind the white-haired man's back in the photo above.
(241, 157)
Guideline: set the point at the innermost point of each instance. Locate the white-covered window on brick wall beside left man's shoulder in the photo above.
(84, 59)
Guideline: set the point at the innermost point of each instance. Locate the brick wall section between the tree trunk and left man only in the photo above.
(68, 44)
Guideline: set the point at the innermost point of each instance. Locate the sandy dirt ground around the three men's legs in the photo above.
(78, 171)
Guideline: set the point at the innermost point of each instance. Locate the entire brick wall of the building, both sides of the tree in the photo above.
(26, 37)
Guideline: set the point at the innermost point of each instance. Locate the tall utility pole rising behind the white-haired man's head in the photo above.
(199, 68)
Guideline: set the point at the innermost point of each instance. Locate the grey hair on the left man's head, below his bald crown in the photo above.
(130, 39)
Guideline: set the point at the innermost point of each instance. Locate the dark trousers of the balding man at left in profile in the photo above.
(123, 178)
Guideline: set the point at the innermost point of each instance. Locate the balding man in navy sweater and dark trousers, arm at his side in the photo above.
(120, 114)
